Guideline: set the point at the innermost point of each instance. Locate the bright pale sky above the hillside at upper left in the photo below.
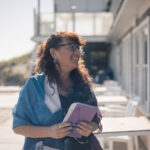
(16, 27)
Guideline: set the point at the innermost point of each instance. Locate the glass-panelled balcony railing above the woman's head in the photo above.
(85, 24)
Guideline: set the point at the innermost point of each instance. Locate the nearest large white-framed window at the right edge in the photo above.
(141, 66)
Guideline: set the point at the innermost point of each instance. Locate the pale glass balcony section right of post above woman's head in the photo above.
(89, 24)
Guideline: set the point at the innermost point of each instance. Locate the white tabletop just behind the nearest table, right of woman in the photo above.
(103, 100)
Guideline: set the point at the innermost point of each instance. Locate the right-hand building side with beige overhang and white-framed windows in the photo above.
(130, 52)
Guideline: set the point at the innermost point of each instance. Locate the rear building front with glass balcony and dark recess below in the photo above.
(87, 18)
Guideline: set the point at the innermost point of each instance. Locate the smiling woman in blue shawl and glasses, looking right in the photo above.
(60, 80)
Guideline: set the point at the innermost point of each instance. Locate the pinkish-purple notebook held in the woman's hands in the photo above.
(79, 112)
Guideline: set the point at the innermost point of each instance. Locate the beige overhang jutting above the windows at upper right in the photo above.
(129, 13)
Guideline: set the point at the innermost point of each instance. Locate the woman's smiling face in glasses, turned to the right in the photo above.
(67, 55)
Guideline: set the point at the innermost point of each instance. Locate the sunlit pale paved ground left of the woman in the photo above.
(8, 139)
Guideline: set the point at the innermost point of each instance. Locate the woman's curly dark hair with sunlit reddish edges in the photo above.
(44, 62)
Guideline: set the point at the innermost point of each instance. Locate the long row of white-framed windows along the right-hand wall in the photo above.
(135, 64)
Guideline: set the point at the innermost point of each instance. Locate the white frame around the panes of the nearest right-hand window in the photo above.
(144, 106)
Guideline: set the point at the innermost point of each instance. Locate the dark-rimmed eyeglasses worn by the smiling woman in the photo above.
(73, 47)
